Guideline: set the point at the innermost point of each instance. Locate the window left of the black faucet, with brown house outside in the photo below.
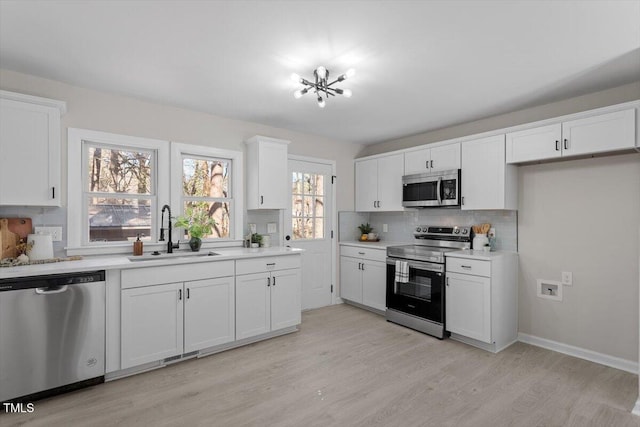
(119, 193)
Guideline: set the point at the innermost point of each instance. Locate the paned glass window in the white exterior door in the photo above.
(307, 211)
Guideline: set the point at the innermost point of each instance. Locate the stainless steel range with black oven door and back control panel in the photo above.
(418, 301)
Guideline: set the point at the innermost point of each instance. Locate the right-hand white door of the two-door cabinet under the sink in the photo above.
(209, 316)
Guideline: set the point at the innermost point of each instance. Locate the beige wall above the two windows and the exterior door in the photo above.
(95, 110)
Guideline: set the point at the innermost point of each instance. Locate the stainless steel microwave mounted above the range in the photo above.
(431, 190)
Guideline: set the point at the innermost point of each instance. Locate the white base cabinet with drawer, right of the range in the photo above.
(482, 298)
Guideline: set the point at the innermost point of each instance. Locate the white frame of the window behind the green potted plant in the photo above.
(181, 150)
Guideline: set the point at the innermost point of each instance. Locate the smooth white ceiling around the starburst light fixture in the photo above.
(421, 65)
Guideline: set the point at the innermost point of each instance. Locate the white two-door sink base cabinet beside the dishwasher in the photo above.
(171, 310)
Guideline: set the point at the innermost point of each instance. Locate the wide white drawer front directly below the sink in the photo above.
(146, 276)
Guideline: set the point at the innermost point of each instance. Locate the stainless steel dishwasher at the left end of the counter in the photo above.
(52, 334)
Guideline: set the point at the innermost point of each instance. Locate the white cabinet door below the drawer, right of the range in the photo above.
(468, 306)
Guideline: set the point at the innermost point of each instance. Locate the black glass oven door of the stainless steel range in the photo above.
(423, 293)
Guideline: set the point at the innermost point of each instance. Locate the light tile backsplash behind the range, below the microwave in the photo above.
(402, 224)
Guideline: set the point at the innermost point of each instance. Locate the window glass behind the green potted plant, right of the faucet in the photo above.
(206, 188)
